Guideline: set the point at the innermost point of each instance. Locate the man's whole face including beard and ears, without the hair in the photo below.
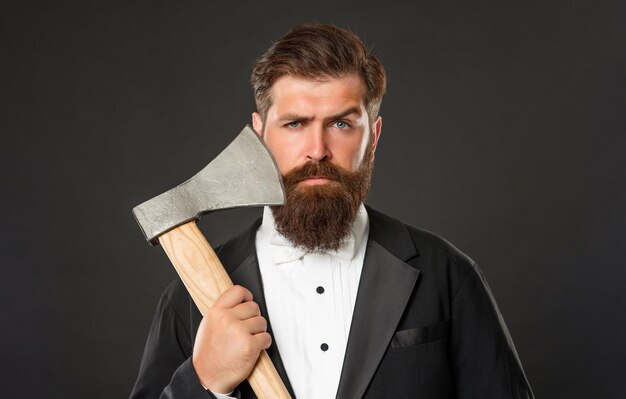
(320, 135)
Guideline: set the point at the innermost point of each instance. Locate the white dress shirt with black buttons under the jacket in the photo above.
(310, 299)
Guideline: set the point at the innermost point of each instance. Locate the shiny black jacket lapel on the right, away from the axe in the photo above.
(386, 285)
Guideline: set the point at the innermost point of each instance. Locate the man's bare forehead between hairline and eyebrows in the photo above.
(291, 94)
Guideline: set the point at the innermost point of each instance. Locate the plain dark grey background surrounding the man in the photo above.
(503, 131)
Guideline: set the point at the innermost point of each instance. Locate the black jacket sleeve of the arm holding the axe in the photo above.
(166, 370)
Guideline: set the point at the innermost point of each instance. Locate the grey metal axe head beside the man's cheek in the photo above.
(244, 174)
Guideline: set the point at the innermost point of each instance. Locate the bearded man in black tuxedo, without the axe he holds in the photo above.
(360, 305)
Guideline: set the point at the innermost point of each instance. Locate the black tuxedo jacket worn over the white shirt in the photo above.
(425, 325)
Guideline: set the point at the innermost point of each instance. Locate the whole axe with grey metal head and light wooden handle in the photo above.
(243, 174)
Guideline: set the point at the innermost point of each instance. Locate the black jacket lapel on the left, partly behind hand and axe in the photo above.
(239, 259)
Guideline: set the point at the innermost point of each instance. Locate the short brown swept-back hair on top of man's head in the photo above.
(315, 51)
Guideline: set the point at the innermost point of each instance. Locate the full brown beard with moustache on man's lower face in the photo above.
(320, 217)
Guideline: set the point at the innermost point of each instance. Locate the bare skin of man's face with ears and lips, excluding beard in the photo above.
(311, 121)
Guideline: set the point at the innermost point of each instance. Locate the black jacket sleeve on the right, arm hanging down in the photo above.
(484, 358)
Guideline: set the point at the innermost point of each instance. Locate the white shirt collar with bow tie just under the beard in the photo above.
(283, 251)
